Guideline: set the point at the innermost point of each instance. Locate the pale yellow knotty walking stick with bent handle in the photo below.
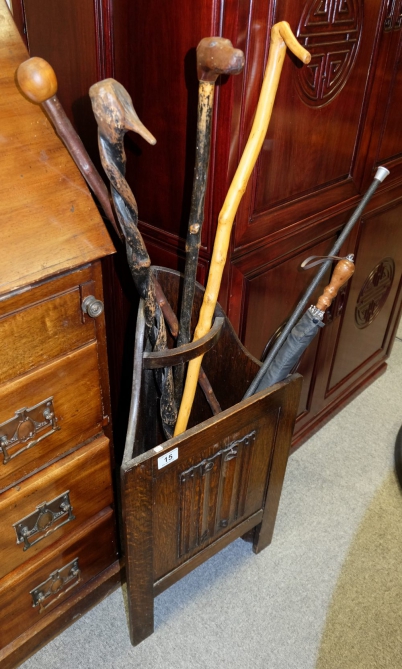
(281, 37)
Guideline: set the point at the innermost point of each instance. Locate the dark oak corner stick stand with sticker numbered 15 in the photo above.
(187, 498)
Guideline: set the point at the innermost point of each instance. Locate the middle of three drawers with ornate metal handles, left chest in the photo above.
(54, 503)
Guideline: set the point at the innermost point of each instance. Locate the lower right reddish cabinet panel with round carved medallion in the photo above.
(371, 308)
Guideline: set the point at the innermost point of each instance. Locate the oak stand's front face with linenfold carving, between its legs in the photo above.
(219, 479)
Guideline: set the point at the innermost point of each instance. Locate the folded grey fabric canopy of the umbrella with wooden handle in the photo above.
(291, 351)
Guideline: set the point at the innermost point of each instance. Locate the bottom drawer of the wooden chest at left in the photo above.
(92, 548)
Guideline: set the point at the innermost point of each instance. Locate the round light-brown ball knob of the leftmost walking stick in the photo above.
(37, 80)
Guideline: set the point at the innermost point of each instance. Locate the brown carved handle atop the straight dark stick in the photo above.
(215, 56)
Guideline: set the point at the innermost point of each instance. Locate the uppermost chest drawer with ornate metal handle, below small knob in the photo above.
(73, 383)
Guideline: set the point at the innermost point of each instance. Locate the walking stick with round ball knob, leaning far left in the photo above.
(37, 80)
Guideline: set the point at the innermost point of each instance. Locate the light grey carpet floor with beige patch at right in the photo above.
(326, 594)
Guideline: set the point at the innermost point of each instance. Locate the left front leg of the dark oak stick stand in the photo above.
(137, 524)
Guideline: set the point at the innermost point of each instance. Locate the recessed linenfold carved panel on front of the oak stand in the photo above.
(213, 493)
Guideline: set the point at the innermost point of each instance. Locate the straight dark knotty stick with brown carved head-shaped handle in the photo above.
(215, 56)
